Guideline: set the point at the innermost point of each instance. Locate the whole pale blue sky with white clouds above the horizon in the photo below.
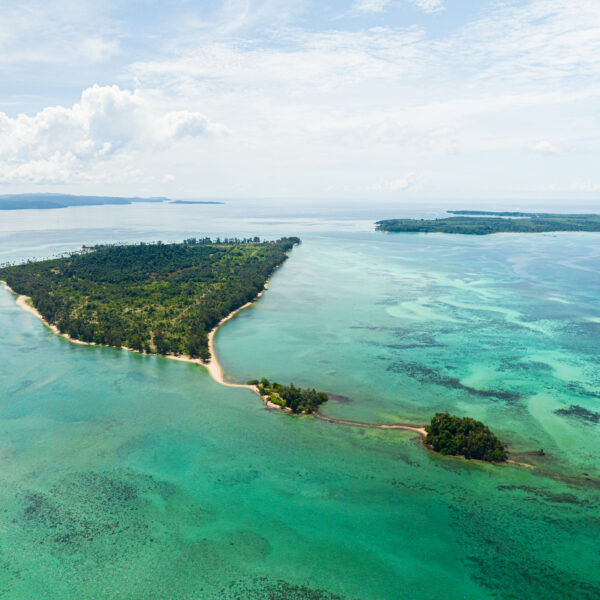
(366, 99)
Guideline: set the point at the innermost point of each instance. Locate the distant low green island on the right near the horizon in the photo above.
(471, 222)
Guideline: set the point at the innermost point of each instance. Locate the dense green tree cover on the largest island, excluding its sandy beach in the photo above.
(157, 297)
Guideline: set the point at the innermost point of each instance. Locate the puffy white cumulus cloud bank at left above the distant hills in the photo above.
(59, 143)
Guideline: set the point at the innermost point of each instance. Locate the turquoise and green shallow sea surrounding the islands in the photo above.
(125, 476)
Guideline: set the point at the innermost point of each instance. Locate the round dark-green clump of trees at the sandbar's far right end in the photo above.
(463, 436)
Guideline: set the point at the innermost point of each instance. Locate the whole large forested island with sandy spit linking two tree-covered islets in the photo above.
(169, 299)
